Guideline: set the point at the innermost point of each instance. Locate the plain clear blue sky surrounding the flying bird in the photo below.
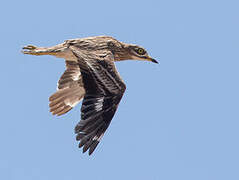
(177, 120)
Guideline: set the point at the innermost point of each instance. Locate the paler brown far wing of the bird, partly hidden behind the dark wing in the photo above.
(70, 90)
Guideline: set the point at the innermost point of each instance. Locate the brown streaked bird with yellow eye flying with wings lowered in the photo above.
(90, 75)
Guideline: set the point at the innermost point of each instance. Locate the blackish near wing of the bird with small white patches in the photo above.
(104, 90)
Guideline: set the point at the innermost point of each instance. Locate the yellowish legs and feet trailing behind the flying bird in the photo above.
(33, 50)
